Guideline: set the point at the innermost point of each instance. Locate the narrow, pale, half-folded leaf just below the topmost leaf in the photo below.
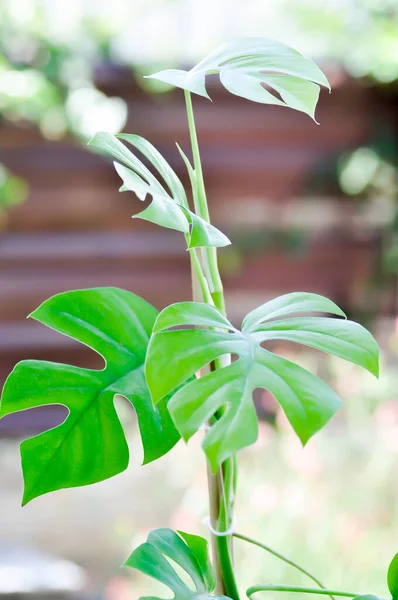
(169, 207)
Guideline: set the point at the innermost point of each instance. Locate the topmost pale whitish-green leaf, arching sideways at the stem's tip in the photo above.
(246, 65)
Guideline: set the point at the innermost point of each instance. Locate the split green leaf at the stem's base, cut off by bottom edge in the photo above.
(188, 551)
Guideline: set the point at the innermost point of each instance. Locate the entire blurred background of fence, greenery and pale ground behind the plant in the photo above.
(308, 207)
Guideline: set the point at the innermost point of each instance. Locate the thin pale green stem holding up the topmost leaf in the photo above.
(209, 255)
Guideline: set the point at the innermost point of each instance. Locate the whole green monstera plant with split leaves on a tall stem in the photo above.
(175, 366)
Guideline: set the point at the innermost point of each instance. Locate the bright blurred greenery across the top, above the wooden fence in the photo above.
(49, 50)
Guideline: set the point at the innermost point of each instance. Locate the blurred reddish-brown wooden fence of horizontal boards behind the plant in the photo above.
(266, 168)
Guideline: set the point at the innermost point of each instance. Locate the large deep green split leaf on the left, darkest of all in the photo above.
(89, 445)
